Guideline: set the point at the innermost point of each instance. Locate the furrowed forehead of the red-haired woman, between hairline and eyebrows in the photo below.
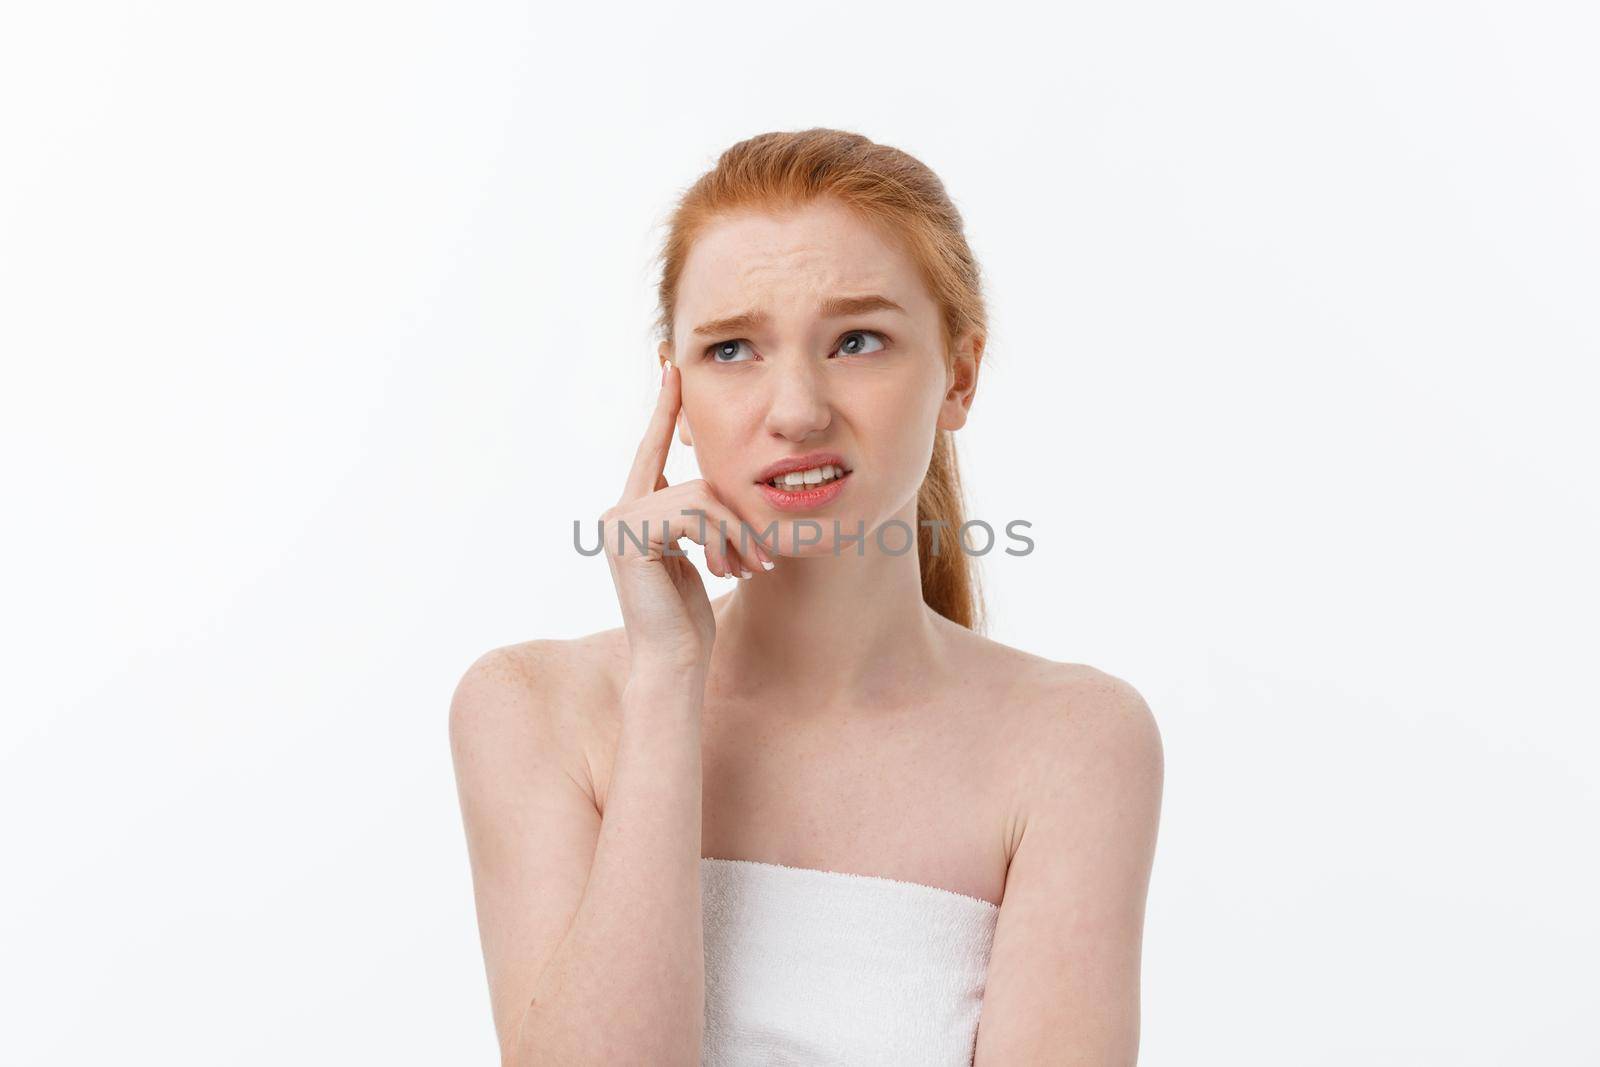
(764, 262)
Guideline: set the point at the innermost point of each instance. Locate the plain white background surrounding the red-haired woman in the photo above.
(324, 321)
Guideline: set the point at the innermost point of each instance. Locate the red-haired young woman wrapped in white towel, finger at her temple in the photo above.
(820, 818)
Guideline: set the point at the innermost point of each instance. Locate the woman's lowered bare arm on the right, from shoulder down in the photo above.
(1065, 970)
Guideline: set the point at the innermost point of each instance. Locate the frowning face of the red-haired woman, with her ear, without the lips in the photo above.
(777, 366)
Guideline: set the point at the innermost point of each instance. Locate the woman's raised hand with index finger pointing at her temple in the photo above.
(666, 613)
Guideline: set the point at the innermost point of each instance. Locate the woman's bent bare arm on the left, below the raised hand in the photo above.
(591, 927)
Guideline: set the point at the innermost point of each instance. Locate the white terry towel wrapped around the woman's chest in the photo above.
(820, 969)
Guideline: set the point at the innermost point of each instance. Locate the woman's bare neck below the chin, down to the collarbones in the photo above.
(828, 631)
